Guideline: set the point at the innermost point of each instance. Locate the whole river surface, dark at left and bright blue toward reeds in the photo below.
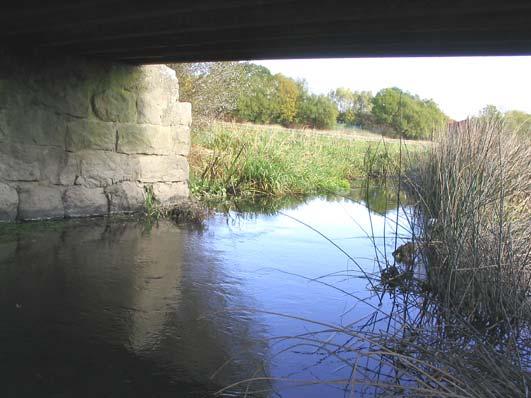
(116, 308)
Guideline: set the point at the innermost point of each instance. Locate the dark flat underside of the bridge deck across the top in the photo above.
(160, 31)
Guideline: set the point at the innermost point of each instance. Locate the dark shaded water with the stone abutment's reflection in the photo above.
(94, 308)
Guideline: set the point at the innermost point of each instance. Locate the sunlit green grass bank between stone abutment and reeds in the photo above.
(242, 160)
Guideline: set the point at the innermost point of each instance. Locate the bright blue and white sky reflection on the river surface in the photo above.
(275, 254)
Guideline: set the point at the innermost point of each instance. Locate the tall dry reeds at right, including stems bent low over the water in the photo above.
(465, 330)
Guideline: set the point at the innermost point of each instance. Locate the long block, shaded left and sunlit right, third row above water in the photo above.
(145, 139)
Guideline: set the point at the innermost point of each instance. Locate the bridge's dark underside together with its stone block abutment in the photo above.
(85, 129)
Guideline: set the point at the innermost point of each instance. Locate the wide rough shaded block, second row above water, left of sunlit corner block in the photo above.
(102, 168)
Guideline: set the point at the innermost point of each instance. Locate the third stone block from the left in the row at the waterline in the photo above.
(82, 201)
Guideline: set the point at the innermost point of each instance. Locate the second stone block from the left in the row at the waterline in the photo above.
(40, 202)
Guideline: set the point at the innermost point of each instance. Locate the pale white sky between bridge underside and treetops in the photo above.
(461, 86)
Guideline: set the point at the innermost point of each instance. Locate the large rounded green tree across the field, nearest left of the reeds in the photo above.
(406, 114)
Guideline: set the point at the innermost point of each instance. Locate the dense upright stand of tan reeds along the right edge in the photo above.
(473, 221)
